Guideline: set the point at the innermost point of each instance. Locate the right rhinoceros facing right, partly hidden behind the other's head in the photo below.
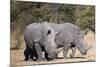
(70, 36)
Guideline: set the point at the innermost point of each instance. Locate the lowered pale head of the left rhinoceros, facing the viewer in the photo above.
(50, 45)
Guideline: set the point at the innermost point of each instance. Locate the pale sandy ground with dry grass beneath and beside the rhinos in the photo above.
(17, 56)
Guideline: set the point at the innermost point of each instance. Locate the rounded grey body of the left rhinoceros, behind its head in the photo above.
(32, 34)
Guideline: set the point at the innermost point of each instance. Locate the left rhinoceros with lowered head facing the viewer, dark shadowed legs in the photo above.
(39, 37)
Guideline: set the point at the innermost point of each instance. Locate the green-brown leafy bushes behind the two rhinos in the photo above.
(24, 13)
